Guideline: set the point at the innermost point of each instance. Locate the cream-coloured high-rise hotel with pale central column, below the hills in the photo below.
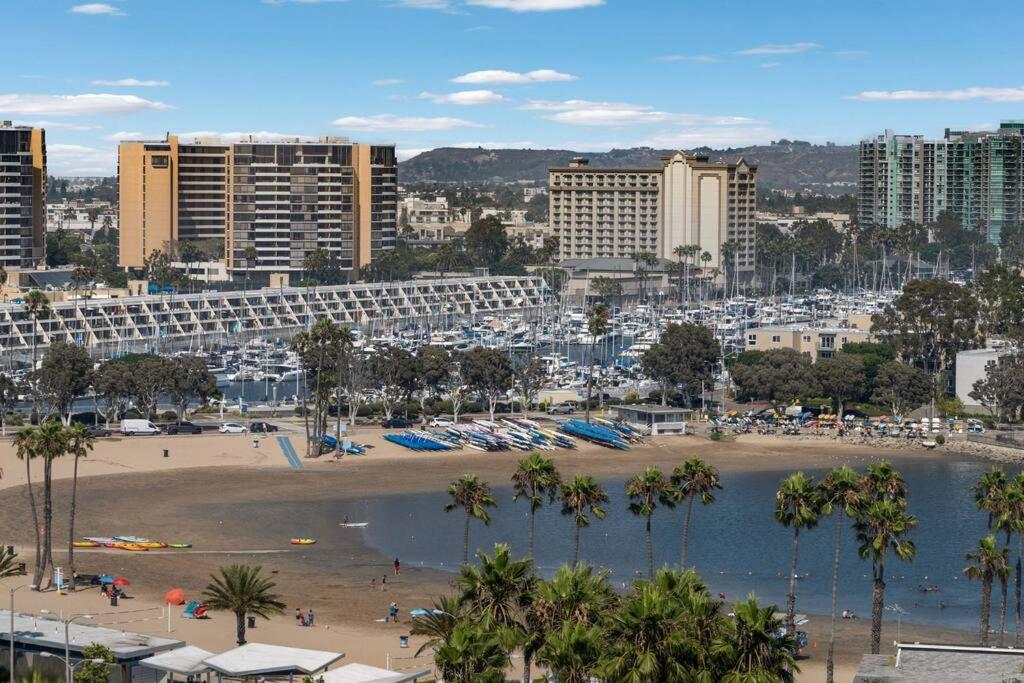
(618, 212)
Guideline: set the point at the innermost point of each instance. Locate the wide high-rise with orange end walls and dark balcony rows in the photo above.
(269, 204)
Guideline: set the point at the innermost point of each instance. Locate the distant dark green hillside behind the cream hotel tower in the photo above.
(785, 165)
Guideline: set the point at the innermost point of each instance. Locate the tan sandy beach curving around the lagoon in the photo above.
(205, 491)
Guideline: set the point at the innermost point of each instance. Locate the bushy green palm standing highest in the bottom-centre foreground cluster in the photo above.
(499, 592)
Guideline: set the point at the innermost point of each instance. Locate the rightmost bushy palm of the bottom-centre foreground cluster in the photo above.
(753, 650)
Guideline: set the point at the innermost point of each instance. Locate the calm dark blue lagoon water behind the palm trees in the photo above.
(736, 544)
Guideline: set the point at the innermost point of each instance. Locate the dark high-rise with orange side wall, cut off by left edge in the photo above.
(23, 196)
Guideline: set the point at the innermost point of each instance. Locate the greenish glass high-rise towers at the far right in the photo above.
(976, 176)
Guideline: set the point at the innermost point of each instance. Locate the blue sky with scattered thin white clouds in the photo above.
(584, 75)
